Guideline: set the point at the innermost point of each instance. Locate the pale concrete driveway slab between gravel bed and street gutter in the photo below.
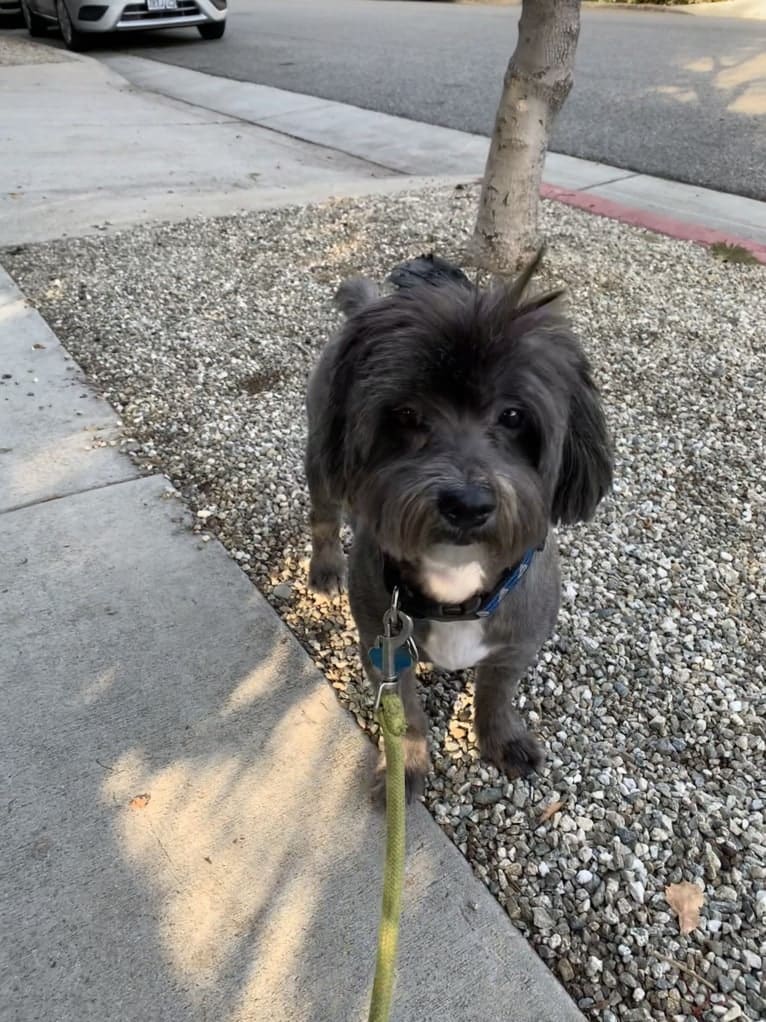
(71, 131)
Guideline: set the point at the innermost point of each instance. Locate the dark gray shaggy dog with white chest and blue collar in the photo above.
(456, 427)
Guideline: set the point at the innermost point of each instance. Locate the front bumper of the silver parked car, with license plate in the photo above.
(134, 15)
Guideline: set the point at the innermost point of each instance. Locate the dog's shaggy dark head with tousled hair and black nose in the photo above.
(461, 417)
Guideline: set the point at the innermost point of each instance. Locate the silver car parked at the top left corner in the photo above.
(79, 21)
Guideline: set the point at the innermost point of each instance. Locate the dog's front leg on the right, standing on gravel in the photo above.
(503, 738)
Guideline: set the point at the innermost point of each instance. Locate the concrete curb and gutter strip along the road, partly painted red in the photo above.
(410, 148)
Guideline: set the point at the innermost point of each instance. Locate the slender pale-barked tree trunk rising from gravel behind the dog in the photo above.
(537, 83)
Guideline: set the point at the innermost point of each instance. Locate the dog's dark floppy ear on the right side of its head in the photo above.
(586, 472)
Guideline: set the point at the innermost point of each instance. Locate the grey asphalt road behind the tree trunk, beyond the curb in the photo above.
(663, 94)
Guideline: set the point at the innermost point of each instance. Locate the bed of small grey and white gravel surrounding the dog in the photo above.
(650, 699)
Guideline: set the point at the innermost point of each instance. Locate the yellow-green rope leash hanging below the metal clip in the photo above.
(394, 726)
